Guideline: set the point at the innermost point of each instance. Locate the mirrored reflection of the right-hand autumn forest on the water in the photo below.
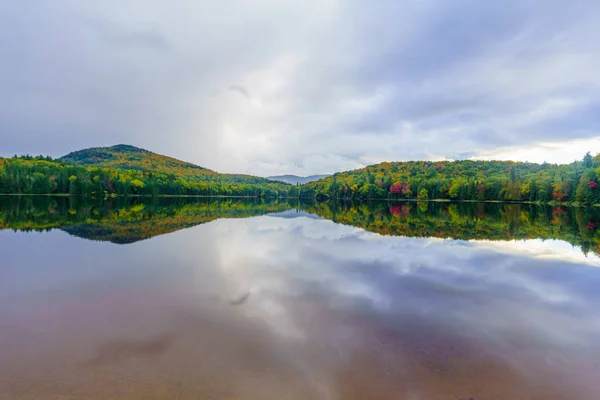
(468, 221)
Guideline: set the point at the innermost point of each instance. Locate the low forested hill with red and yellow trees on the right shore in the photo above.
(465, 180)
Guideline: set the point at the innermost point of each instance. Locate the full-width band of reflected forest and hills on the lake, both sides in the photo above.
(123, 220)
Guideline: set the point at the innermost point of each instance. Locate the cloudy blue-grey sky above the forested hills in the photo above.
(302, 87)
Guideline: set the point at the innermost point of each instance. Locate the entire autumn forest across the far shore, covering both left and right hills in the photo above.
(125, 170)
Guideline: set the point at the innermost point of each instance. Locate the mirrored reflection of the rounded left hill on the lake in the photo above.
(123, 220)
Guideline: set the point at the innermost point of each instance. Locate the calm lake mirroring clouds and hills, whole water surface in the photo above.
(176, 298)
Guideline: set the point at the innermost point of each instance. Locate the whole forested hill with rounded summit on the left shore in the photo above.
(125, 170)
